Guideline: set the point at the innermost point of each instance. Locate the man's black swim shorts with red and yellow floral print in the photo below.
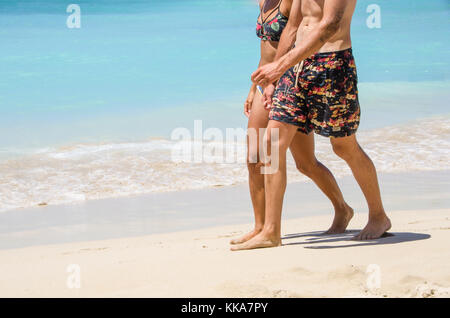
(324, 100)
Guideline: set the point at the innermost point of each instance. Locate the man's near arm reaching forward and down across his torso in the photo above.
(333, 12)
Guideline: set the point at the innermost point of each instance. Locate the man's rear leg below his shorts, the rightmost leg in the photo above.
(365, 174)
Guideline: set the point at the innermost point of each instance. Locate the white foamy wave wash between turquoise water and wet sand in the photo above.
(93, 171)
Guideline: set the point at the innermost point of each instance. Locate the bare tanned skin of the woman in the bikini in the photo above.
(302, 147)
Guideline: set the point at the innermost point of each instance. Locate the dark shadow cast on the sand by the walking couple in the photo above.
(318, 237)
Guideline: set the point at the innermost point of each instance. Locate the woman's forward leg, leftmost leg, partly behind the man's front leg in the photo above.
(259, 117)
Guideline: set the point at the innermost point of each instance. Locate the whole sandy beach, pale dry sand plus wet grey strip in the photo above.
(412, 261)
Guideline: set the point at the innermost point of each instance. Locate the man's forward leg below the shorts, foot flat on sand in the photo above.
(275, 186)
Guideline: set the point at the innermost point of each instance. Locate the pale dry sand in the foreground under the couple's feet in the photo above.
(414, 262)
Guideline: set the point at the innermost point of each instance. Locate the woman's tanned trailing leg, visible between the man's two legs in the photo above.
(302, 149)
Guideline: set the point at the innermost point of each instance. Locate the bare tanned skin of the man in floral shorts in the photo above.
(323, 26)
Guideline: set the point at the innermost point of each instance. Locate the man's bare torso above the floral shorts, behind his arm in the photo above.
(312, 11)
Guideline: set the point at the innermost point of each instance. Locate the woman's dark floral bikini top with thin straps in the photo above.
(271, 30)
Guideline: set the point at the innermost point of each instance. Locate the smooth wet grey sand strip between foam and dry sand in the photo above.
(199, 209)
